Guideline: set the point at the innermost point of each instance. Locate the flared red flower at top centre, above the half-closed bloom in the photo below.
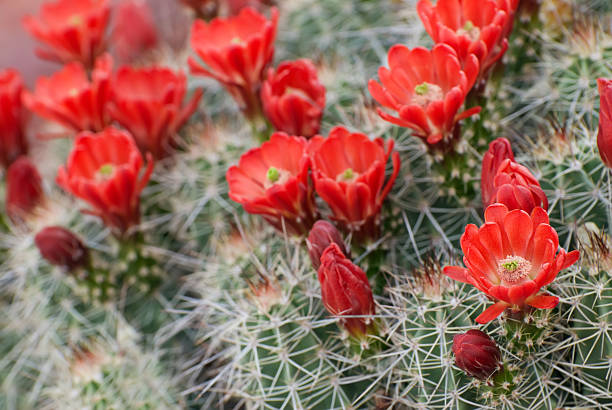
(236, 52)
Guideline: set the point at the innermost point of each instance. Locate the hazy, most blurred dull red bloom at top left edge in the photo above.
(134, 32)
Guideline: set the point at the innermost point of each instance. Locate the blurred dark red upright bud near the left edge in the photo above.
(24, 192)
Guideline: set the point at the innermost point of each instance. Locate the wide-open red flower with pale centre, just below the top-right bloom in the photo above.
(426, 88)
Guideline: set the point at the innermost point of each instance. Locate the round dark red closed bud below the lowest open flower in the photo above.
(476, 354)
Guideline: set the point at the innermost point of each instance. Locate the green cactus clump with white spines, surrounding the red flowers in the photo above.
(208, 306)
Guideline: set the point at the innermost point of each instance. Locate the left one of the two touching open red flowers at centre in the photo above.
(272, 181)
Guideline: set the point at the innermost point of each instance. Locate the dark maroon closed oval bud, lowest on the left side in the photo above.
(61, 247)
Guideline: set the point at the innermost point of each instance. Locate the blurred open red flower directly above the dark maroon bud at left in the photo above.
(103, 169)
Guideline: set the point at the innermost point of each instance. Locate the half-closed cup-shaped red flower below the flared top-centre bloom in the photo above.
(293, 98)
